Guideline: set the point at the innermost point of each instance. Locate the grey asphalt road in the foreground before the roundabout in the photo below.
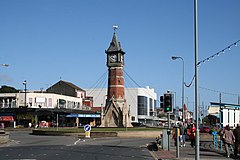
(24, 146)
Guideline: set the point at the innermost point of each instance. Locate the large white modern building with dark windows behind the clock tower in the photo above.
(141, 102)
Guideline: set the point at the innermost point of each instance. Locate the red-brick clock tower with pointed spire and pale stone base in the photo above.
(116, 112)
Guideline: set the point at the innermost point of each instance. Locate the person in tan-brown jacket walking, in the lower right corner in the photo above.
(228, 139)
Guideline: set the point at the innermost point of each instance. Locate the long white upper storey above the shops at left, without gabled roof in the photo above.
(40, 100)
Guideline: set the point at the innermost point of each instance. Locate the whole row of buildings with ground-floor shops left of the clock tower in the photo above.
(55, 104)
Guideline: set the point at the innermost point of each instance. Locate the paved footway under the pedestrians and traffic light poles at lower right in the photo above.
(207, 152)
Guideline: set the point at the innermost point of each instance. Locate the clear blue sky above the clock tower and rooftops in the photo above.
(48, 40)
